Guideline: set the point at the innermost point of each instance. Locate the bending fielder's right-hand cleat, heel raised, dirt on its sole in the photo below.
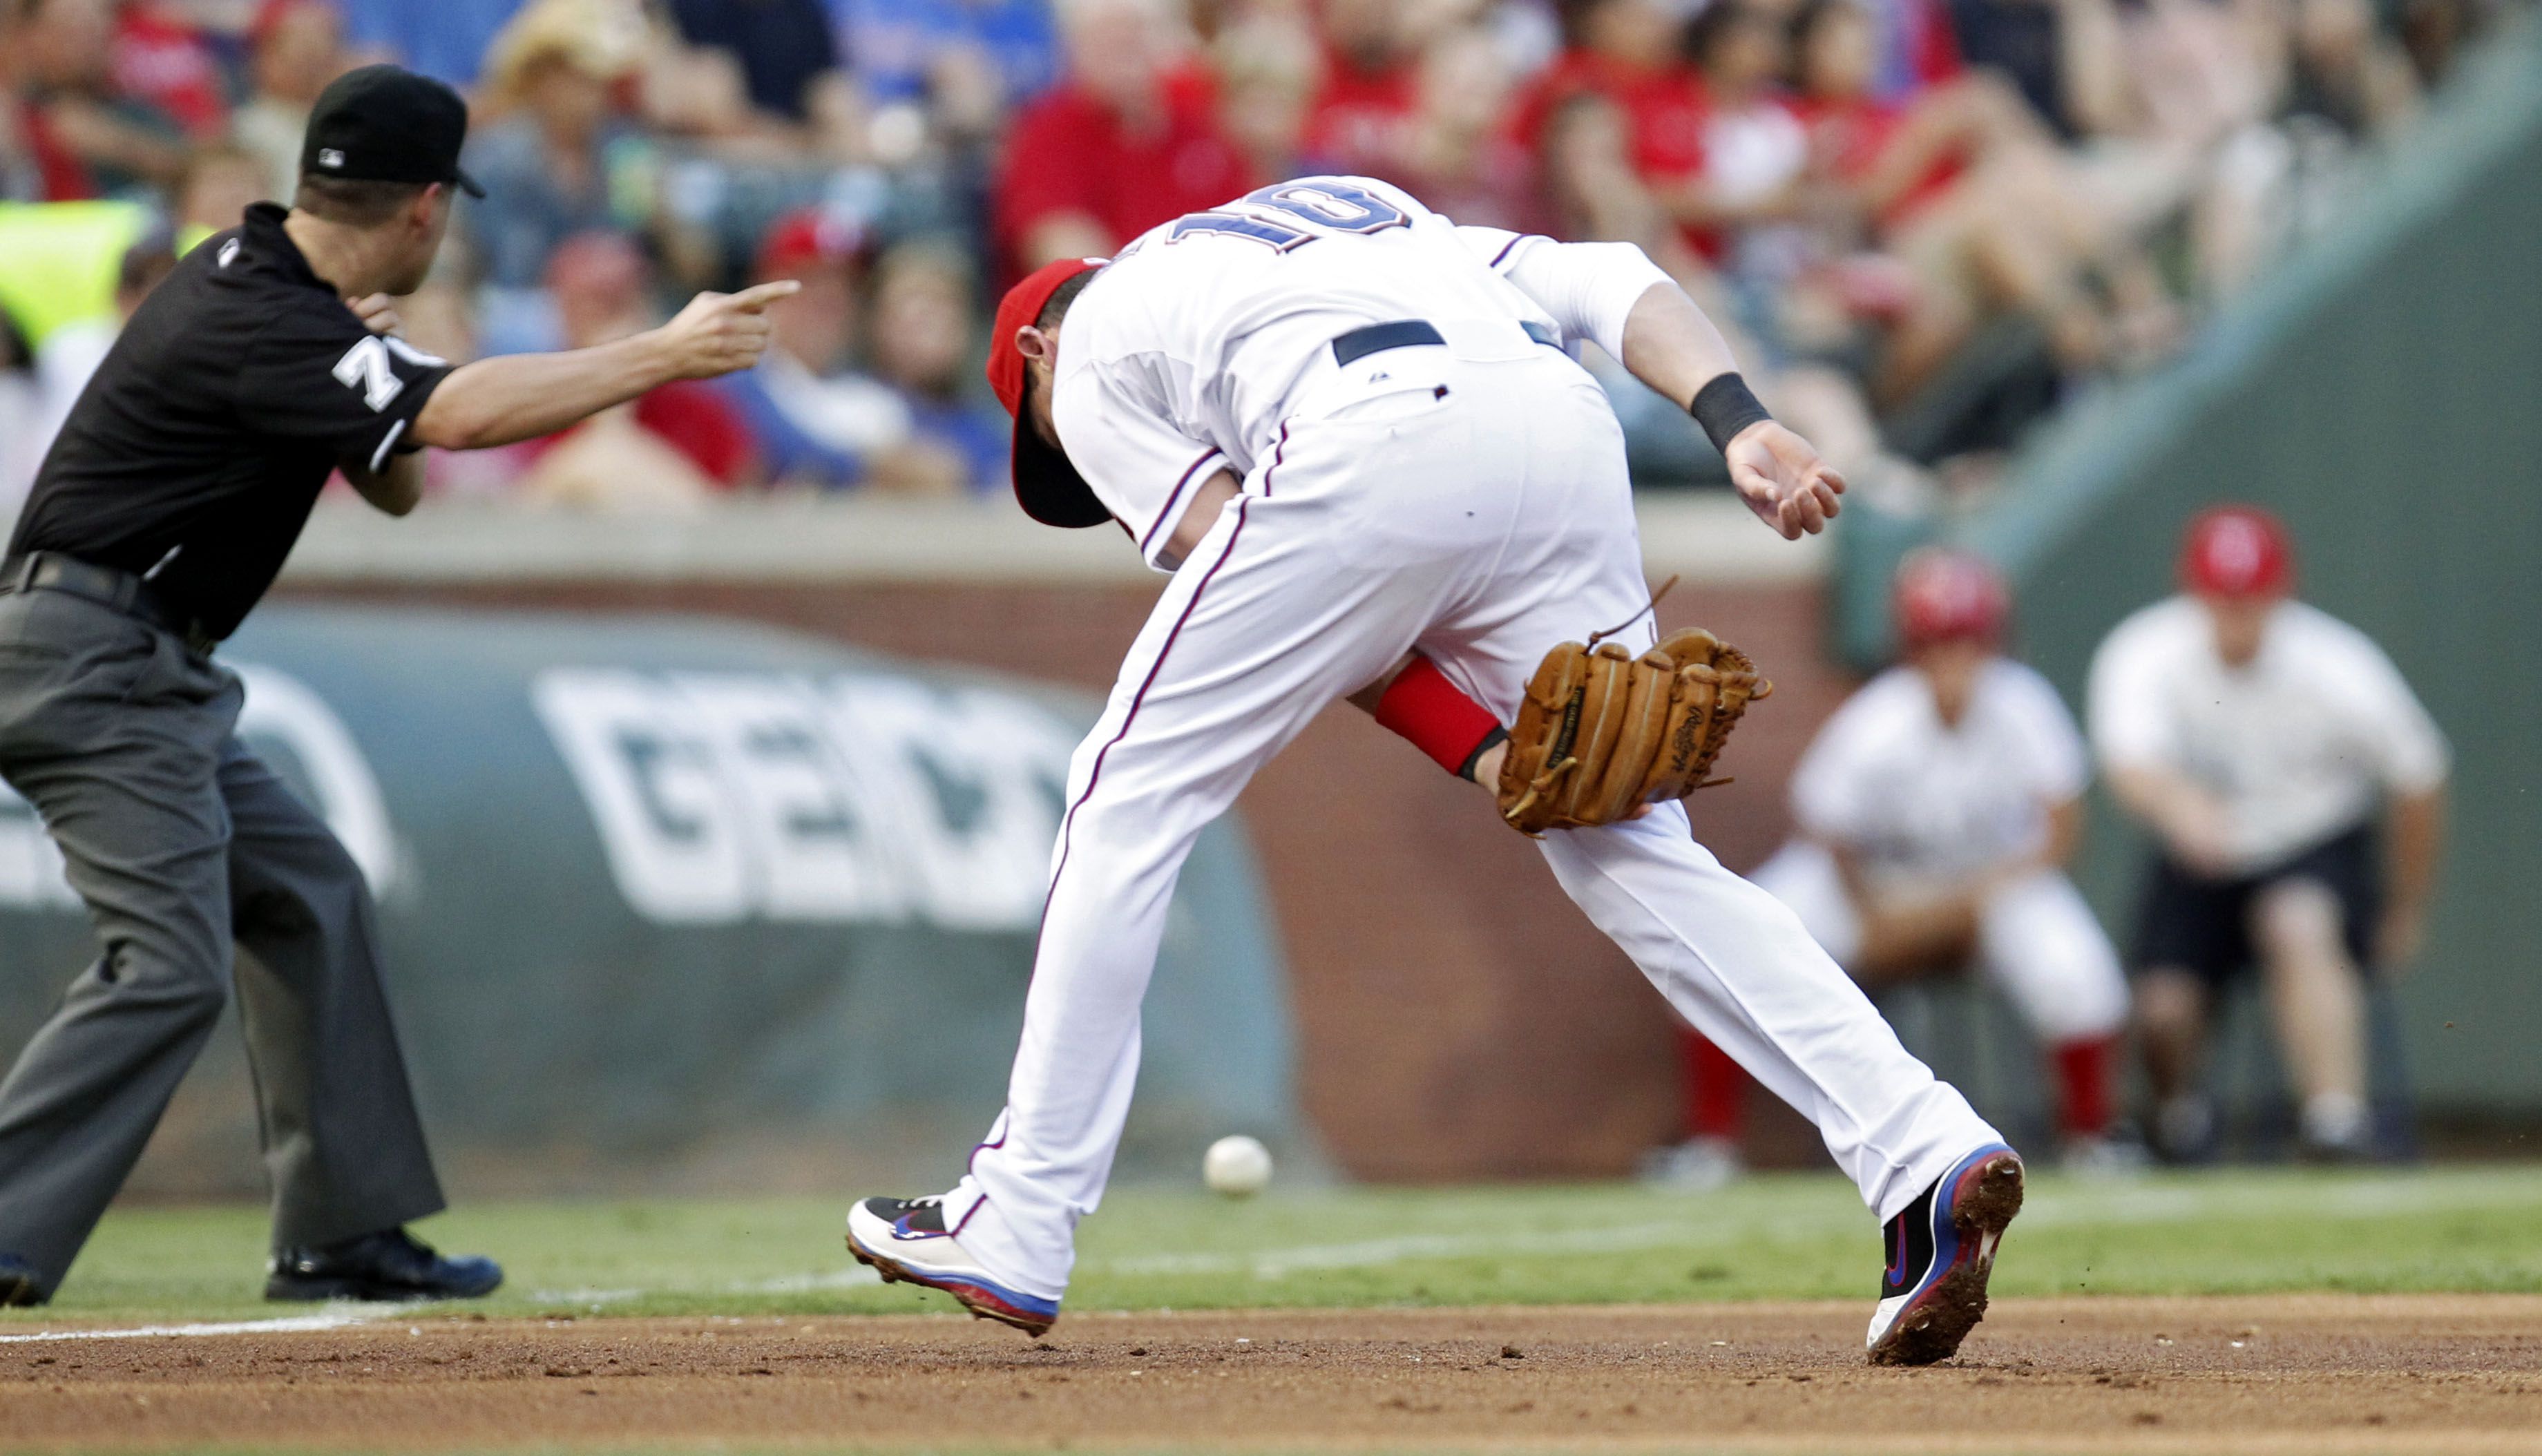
(1941, 1251)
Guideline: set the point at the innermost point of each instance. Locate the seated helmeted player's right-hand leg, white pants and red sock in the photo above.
(2045, 949)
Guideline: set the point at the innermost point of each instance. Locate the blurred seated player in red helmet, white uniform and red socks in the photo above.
(1938, 809)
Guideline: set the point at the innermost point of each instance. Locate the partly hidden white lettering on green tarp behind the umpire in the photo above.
(299, 736)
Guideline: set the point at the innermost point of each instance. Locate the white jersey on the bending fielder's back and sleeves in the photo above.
(1199, 344)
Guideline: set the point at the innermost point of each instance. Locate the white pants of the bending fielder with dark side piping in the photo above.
(1481, 512)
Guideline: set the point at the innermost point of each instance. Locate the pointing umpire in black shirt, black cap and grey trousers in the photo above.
(161, 515)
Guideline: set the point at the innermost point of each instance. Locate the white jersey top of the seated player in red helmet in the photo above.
(1923, 802)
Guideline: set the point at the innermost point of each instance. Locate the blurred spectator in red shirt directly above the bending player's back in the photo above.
(1127, 141)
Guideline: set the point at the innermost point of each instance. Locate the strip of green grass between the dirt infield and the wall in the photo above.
(1793, 1236)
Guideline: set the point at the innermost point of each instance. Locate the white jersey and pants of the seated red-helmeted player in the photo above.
(1926, 807)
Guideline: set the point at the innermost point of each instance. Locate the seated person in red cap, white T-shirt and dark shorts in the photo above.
(2294, 789)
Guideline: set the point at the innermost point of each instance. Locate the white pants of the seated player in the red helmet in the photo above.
(2037, 941)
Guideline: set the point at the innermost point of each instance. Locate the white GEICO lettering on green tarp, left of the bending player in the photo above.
(794, 797)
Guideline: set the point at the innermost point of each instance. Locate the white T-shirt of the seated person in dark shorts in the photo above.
(2299, 746)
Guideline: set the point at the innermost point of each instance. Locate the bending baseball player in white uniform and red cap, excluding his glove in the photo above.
(1351, 433)
